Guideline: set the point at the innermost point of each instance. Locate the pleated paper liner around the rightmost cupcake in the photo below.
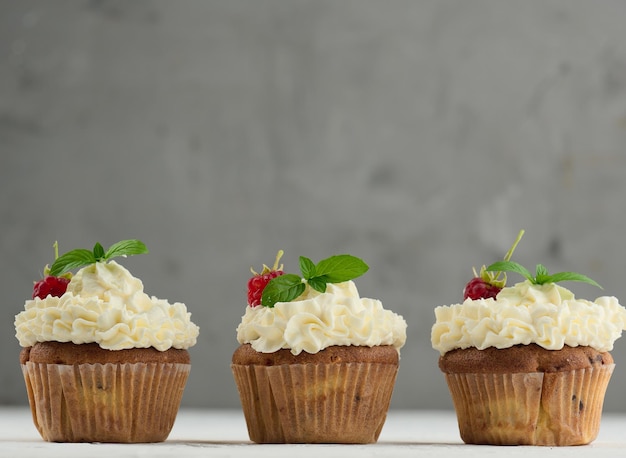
(551, 409)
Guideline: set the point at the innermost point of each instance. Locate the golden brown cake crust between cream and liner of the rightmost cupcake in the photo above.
(522, 358)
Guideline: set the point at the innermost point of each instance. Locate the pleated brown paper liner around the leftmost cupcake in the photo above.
(126, 403)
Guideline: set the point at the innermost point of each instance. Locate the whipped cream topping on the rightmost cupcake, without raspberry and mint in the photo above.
(547, 315)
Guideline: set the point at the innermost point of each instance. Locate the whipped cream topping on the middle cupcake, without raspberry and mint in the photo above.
(314, 321)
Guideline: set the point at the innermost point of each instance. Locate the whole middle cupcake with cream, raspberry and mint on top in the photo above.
(316, 362)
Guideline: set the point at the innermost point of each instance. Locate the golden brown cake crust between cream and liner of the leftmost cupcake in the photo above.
(91, 353)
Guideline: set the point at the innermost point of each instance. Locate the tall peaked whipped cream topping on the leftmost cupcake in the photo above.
(105, 304)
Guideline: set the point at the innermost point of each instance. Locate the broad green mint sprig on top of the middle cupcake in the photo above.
(335, 269)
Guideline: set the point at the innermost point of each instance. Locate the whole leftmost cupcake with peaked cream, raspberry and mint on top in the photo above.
(102, 360)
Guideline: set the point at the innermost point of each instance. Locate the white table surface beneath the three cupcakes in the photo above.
(222, 433)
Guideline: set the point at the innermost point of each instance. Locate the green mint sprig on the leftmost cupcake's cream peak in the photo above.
(82, 257)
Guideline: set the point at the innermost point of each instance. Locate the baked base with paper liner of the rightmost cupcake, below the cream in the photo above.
(547, 397)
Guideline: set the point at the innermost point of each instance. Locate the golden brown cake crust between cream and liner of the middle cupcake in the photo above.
(385, 354)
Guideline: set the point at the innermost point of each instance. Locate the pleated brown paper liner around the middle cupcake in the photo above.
(315, 403)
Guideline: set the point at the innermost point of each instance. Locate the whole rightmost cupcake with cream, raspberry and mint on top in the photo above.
(527, 364)
